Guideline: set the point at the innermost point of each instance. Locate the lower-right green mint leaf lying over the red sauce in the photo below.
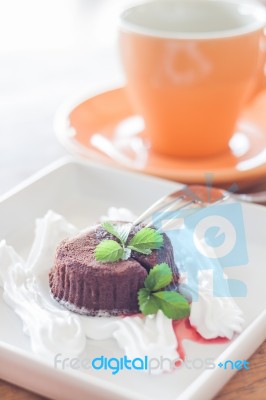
(172, 304)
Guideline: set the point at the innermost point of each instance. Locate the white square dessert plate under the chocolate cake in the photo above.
(82, 191)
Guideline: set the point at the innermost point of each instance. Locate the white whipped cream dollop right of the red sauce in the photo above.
(211, 315)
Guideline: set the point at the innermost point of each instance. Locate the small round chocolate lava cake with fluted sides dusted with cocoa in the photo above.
(87, 286)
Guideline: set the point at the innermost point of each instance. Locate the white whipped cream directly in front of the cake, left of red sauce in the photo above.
(152, 336)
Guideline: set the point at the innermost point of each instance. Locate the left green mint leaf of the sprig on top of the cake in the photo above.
(108, 251)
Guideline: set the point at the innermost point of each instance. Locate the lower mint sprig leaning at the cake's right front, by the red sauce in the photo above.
(151, 298)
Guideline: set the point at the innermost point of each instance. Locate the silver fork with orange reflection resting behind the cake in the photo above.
(193, 196)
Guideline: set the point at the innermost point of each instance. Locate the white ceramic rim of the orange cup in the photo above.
(259, 12)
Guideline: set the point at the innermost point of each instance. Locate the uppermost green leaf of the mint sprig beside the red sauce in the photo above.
(159, 277)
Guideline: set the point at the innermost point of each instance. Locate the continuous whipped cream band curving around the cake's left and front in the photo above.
(52, 328)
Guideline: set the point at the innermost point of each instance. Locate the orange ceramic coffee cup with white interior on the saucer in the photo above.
(191, 66)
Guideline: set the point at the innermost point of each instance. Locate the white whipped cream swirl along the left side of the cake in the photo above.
(26, 290)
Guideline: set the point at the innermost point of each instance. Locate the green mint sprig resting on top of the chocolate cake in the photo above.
(144, 241)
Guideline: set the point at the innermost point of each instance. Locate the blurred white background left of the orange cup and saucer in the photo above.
(50, 50)
